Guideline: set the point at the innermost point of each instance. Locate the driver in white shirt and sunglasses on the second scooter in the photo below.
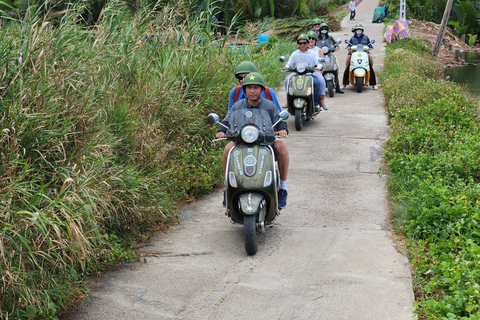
(305, 56)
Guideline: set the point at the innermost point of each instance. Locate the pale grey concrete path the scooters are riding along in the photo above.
(329, 255)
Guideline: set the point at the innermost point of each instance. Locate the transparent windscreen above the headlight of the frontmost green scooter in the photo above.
(252, 124)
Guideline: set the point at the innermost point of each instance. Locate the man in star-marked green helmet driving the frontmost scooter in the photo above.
(254, 85)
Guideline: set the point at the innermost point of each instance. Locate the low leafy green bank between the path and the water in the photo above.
(433, 161)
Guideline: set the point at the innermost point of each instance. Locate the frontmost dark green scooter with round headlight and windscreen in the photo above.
(251, 174)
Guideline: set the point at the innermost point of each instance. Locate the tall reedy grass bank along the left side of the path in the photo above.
(102, 134)
